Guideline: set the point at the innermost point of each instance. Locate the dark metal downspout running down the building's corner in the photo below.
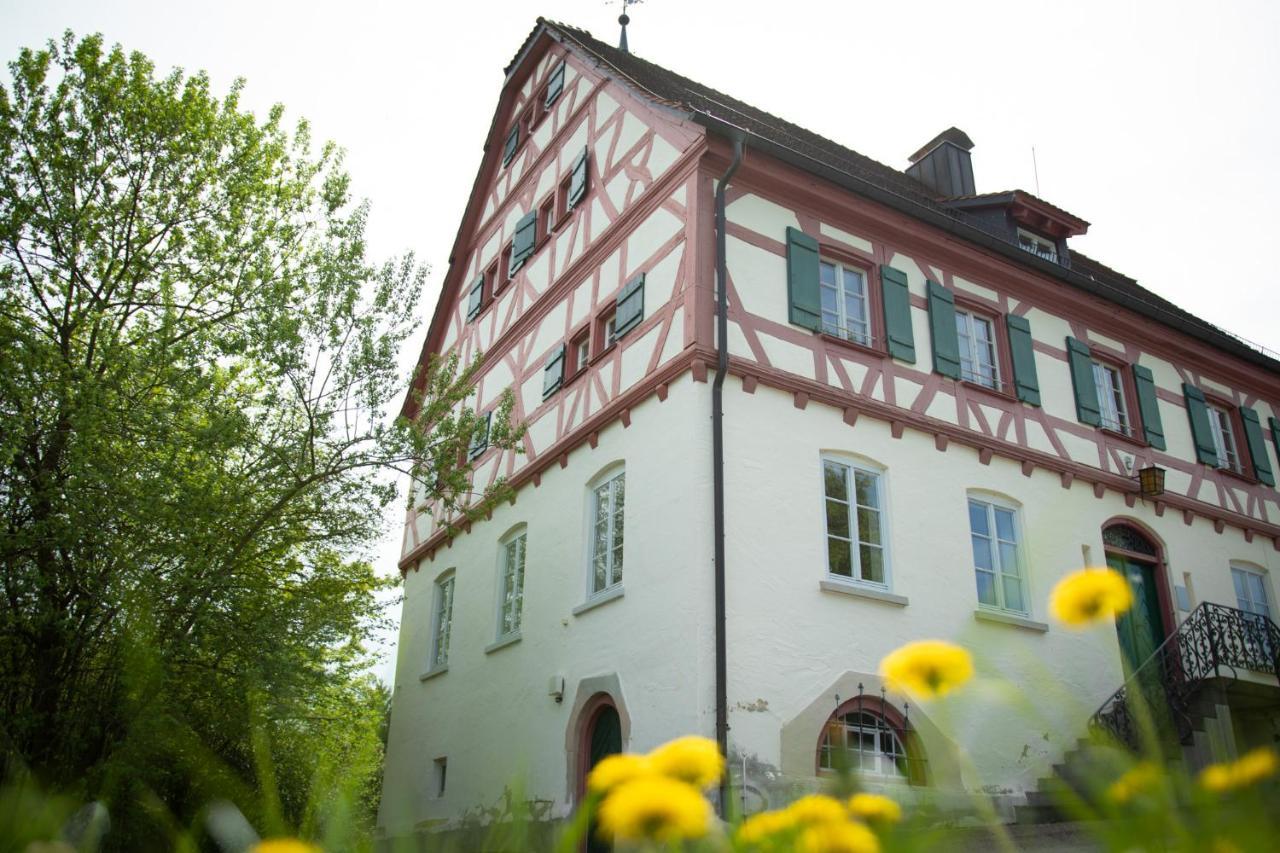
(719, 464)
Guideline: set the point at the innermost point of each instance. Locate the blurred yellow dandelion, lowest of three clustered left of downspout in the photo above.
(655, 809)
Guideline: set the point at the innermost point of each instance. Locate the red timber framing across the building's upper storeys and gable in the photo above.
(990, 423)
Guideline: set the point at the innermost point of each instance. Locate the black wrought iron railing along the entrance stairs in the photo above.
(1214, 642)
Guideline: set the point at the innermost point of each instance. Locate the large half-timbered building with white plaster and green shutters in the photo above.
(931, 409)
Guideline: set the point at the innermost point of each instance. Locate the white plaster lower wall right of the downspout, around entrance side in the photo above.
(790, 641)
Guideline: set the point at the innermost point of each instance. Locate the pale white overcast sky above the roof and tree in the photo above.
(1156, 122)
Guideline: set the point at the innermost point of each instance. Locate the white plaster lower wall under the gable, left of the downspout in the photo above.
(490, 714)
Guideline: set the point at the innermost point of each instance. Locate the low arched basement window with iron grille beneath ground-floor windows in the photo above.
(871, 738)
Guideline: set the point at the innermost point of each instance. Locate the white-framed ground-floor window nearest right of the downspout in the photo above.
(856, 523)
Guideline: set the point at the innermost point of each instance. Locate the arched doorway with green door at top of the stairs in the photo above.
(1136, 555)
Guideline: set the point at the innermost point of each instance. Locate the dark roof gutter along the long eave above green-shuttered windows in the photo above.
(980, 238)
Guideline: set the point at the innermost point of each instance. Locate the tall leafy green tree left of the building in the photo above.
(195, 444)
